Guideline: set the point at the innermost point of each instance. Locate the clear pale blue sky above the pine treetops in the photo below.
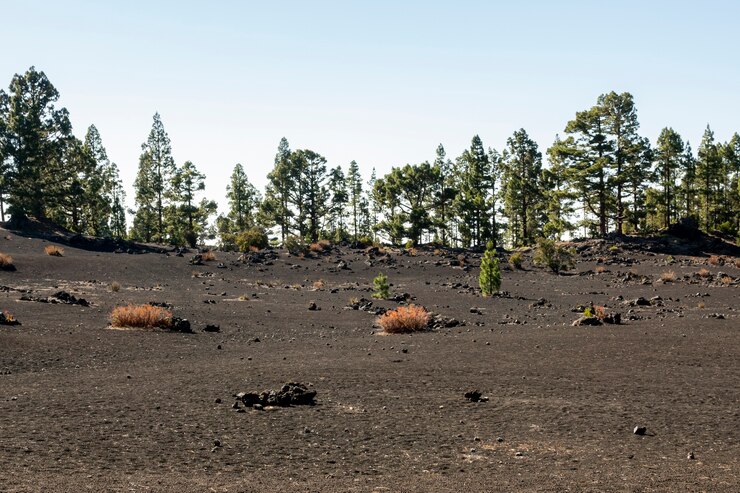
(380, 82)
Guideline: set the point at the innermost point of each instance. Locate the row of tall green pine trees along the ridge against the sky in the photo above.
(601, 176)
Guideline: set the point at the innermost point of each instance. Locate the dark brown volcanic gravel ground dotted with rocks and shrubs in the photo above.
(84, 407)
